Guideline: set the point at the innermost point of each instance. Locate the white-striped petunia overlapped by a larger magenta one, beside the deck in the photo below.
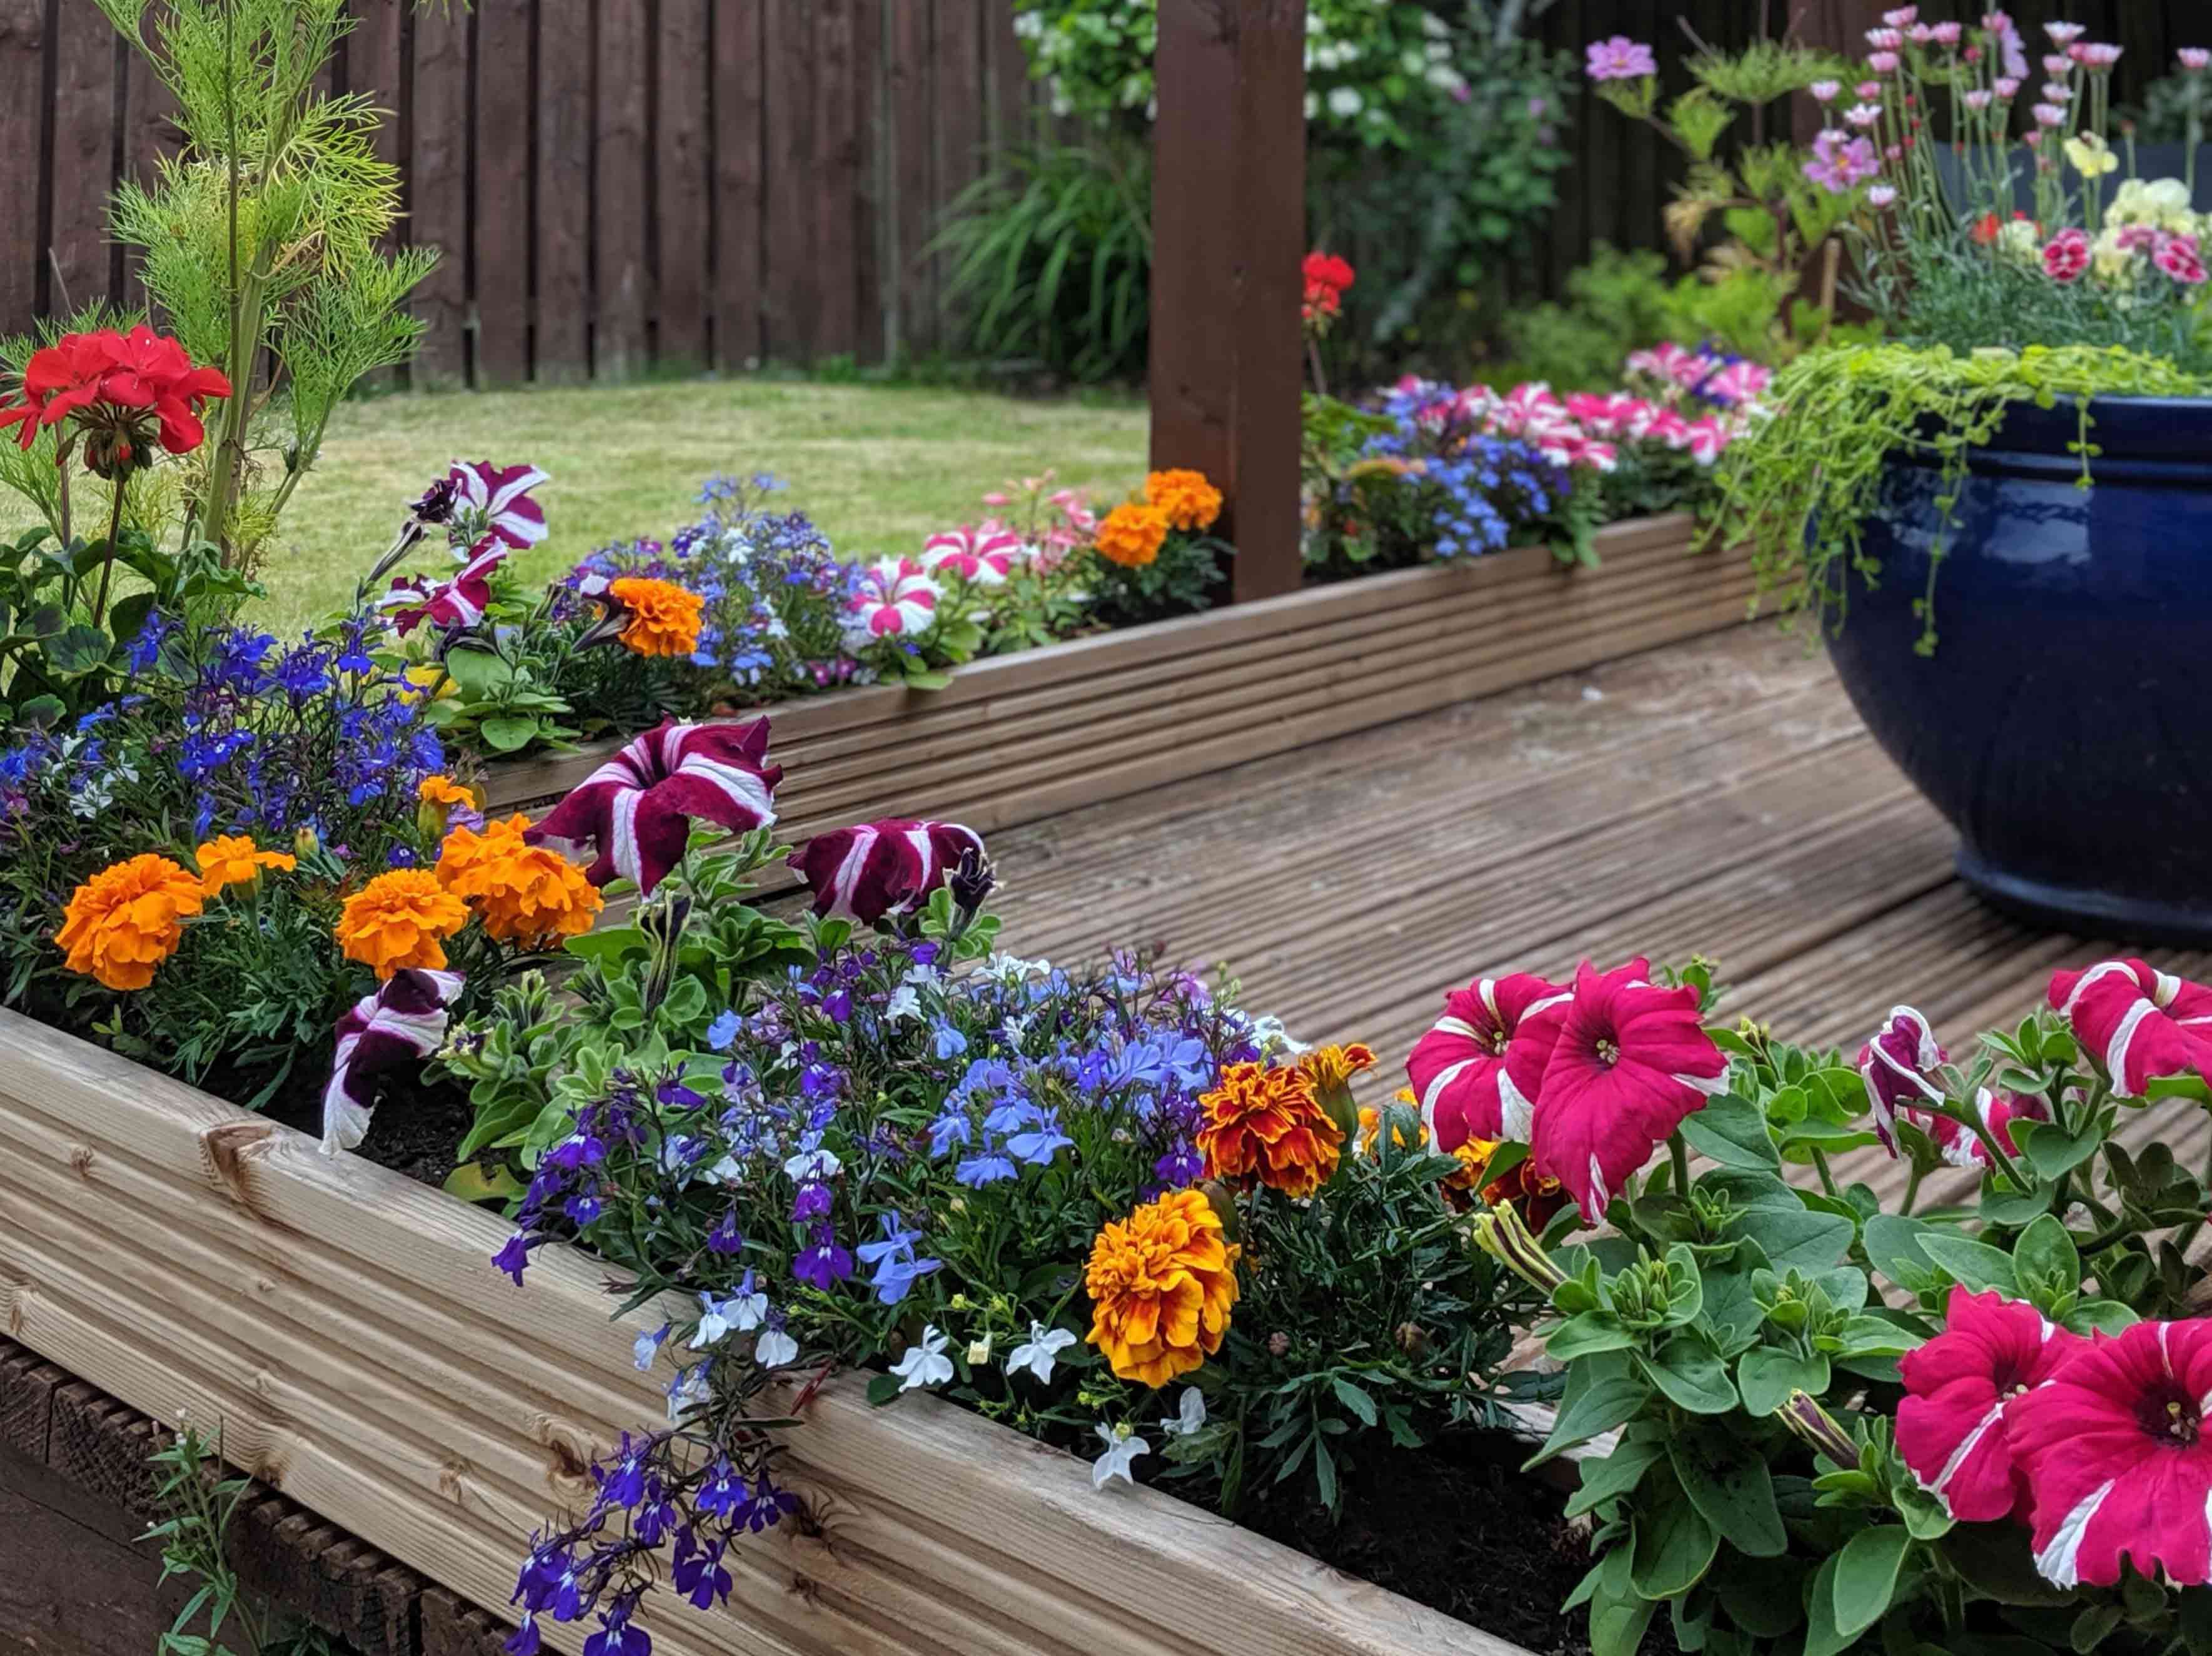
(1477, 1071)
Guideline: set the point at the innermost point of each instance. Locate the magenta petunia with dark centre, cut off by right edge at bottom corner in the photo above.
(2118, 1458)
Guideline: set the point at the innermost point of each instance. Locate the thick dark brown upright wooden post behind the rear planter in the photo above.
(1229, 231)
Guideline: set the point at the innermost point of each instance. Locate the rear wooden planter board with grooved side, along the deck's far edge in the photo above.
(1047, 731)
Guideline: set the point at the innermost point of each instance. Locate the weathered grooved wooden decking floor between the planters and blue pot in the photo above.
(1713, 797)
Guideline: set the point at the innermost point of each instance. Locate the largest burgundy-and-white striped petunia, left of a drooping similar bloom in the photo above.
(636, 810)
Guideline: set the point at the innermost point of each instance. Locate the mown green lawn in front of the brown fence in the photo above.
(877, 468)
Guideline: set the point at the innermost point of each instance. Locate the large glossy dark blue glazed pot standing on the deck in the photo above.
(2065, 720)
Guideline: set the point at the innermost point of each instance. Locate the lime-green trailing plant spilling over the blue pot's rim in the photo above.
(1802, 485)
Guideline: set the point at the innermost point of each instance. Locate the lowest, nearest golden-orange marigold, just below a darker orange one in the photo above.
(1162, 1283)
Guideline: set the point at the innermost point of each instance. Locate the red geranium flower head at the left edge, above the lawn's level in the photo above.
(125, 392)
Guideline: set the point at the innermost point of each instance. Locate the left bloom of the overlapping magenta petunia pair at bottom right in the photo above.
(1963, 1390)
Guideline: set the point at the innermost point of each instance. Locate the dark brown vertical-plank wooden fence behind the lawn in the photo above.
(614, 182)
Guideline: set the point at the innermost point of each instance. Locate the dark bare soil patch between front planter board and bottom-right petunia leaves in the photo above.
(1454, 1529)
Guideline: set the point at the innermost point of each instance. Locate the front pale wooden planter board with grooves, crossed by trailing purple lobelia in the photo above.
(362, 1354)
